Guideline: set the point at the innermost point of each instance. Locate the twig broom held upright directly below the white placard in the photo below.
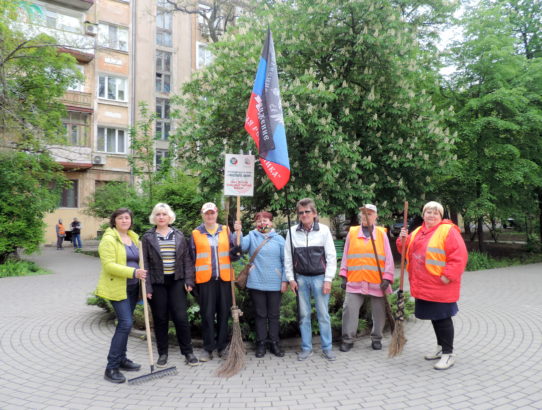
(235, 358)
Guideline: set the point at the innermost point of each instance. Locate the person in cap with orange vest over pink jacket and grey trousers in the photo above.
(361, 278)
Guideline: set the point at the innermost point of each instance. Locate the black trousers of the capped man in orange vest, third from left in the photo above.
(215, 302)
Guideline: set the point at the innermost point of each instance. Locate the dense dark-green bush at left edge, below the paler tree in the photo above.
(29, 188)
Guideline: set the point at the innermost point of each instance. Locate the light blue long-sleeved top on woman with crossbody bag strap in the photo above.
(267, 272)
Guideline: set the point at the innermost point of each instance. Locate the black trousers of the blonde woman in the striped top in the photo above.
(169, 301)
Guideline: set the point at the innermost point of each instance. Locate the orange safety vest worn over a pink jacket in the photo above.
(360, 259)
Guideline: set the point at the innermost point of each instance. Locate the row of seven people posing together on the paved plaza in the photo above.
(305, 261)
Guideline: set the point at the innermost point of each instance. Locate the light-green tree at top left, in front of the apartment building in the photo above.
(34, 74)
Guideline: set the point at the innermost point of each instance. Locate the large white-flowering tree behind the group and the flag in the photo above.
(361, 125)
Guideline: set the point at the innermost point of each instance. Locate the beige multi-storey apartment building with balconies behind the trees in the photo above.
(129, 51)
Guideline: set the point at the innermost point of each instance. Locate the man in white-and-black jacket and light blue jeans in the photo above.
(310, 268)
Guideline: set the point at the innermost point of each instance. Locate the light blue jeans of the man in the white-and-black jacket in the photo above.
(313, 285)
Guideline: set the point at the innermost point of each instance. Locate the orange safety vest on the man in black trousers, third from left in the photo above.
(203, 256)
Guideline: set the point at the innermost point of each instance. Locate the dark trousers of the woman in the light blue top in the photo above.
(267, 312)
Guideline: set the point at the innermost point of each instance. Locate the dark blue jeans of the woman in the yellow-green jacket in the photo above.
(124, 310)
